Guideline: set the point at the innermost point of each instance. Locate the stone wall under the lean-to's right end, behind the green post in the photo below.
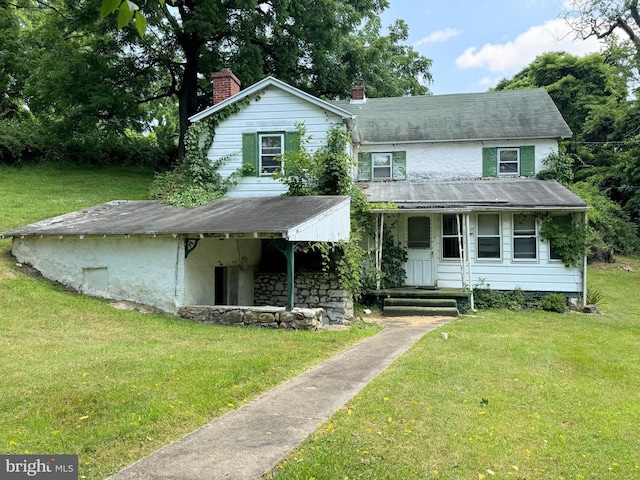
(312, 290)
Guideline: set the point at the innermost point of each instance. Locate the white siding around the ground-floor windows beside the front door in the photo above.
(540, 275)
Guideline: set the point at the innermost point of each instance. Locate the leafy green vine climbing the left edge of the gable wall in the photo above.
(195, 180)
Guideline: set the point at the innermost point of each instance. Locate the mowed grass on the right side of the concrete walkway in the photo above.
(562, 391)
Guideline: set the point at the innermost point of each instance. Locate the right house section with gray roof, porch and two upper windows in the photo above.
(461, 170)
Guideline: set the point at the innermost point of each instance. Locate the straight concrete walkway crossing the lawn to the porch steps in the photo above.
(247, 443)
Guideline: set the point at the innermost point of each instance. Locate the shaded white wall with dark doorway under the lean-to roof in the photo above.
(242, 256)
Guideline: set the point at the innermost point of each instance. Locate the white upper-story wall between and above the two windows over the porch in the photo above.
(455, 160)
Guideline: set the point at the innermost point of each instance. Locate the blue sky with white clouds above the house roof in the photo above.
(475, 43)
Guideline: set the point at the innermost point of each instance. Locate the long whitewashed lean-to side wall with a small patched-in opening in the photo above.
(141, 269)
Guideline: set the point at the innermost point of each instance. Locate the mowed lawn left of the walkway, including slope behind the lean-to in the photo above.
(80, 377)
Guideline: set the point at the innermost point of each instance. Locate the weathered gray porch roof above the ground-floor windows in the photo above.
(504, 194)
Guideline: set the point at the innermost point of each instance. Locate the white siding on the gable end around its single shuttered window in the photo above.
(272, 110)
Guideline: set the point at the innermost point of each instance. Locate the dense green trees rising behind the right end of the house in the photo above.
(591, 93)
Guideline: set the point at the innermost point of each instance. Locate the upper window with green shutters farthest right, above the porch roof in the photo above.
(508, 161)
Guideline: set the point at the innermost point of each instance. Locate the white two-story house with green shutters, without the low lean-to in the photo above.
(461, 170)
